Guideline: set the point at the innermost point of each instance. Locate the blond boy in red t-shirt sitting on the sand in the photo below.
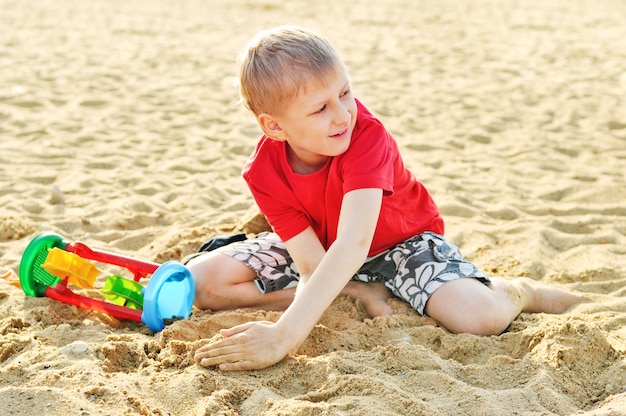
(347, 215)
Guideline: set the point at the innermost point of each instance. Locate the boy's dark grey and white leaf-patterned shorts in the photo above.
(412, 270)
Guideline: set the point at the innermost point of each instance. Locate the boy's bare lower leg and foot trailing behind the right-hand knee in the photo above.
(538, 297)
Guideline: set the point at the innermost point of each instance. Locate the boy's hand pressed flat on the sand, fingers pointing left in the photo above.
(250, 346)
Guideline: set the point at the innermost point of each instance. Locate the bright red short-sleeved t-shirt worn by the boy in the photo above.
(291, 202)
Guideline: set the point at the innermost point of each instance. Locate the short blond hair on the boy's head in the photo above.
(278, 63)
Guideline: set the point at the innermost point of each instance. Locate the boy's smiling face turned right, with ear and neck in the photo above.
(318, 122)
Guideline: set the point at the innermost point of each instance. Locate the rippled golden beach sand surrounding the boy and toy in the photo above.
(119, 127)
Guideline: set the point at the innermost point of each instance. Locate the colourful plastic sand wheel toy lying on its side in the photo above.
(51, 266)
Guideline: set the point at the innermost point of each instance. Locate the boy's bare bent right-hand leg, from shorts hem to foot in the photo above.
(467, 305)
